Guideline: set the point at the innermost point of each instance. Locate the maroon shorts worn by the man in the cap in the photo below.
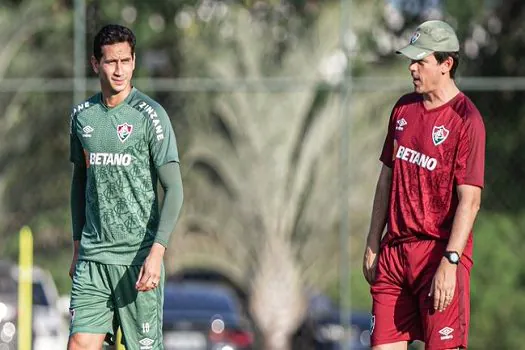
(402, 309)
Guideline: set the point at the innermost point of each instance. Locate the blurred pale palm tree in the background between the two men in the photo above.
(261, 169)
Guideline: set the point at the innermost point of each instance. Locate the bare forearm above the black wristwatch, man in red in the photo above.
(469, 202)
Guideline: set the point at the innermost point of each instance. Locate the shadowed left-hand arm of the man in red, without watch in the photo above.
(377, 222)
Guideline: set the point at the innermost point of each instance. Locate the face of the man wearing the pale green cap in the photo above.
(427, 74)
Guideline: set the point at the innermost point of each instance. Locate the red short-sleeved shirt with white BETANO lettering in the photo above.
(430, 153)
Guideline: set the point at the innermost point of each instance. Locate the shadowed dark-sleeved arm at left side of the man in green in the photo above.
(78, 209)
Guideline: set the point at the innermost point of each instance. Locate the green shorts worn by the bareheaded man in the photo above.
(103, 297)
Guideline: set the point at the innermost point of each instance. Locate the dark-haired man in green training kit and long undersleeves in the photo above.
(122, 143)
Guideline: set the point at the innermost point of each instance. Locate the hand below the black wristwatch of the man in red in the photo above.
(443, 285)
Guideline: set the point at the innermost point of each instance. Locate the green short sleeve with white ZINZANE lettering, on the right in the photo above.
(161, 139)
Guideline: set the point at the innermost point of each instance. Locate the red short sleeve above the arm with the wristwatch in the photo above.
(470, 160)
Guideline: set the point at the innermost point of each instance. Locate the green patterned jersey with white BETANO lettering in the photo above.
(121, 148)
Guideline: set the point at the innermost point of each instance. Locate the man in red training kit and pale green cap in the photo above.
(427, 195)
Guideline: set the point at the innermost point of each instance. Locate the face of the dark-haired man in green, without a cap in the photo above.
(115, 67)
